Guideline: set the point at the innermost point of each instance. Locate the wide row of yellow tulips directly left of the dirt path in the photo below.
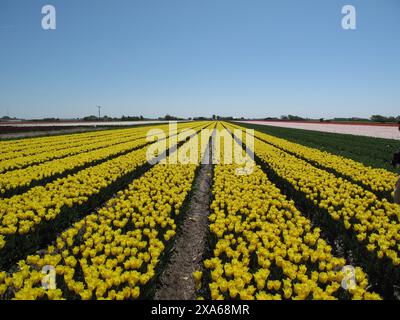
(113, 253)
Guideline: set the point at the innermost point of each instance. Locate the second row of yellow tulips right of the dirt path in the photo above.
(376, 222)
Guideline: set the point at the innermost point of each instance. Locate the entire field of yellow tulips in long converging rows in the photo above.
(90, 216)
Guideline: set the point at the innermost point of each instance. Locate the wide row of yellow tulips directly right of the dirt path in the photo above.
(266, 249)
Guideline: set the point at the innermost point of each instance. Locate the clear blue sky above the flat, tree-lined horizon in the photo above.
(251, 58)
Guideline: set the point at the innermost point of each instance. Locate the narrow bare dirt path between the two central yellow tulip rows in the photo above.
(176, 282)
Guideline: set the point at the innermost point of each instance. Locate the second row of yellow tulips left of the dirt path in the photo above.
(21, 213)
